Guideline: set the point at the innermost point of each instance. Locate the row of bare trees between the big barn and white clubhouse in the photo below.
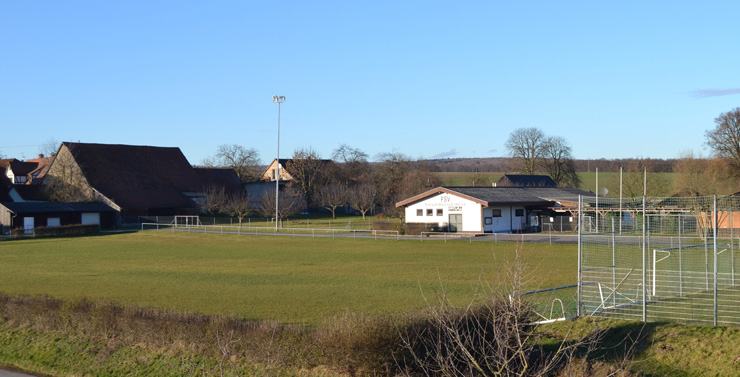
(347, 180)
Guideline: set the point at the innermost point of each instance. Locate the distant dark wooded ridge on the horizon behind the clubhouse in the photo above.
(503, 164)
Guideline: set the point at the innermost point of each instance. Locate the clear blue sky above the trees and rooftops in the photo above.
(424, 78)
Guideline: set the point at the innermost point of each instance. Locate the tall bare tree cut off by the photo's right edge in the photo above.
(724, 139)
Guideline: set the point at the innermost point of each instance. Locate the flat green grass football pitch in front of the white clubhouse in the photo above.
(254, 277)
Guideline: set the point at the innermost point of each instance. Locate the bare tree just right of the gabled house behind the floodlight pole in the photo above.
(307, 170)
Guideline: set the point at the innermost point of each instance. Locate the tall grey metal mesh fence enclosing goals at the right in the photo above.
(655, 259)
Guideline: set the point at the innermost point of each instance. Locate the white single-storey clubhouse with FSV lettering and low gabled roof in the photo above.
(486, 209)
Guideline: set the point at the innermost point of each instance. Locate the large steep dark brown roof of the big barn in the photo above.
(137, 176)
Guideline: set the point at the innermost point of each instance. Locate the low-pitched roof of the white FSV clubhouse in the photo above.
(489, 196)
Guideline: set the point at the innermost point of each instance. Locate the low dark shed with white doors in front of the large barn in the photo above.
(31, 215)
